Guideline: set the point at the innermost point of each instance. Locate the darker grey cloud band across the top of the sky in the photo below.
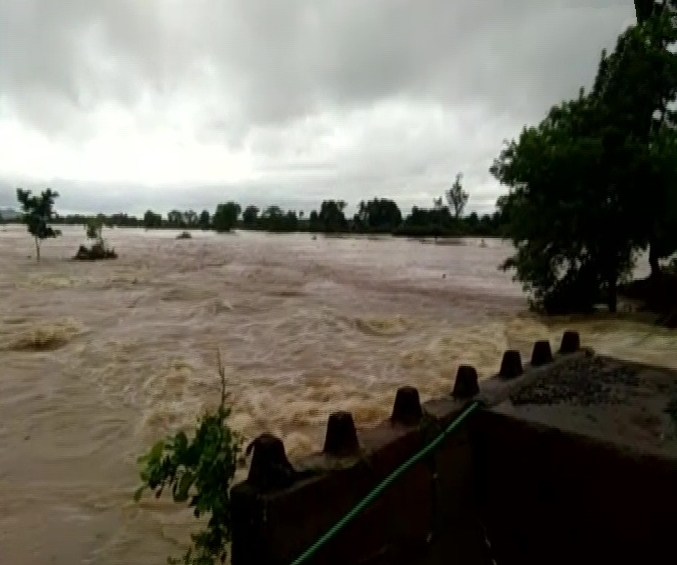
(284, 60)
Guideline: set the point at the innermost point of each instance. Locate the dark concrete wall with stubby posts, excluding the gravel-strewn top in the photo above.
(531, 490)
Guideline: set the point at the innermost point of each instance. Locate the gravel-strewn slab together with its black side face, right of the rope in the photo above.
(579, 463)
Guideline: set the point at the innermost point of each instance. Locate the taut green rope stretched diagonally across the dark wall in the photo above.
(385, 483)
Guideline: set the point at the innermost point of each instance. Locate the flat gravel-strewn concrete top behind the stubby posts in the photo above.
(611, 400)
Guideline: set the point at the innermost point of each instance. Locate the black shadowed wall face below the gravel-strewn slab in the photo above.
(552, 497)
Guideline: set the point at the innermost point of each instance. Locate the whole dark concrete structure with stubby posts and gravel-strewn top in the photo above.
(574, 461)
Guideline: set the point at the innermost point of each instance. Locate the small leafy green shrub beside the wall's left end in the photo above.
(199, 472)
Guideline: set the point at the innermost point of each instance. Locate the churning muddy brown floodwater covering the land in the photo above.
(98, 360)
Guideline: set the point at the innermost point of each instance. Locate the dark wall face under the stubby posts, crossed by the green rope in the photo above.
(274, 526)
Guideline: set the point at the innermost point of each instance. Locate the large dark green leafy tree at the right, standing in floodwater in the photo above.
(596, 180)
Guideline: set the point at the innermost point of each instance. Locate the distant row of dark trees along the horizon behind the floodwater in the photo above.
(445, 218)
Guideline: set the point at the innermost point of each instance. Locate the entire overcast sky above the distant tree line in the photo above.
(130, 104)
